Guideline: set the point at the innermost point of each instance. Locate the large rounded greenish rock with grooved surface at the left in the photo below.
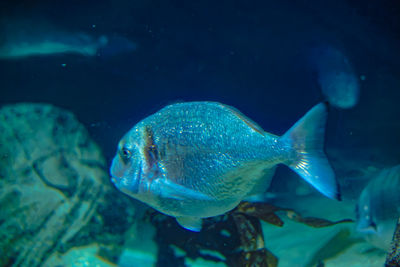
(52, 180)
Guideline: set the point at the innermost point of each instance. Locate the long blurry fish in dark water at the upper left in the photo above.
(22, 39)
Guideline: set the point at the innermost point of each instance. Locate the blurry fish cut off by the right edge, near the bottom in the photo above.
(378, 208)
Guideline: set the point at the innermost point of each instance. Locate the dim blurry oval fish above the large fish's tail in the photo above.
(335, 76)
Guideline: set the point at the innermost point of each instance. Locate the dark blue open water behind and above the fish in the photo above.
(252, 55)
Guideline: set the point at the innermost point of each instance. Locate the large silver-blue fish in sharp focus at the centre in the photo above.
(200, 159)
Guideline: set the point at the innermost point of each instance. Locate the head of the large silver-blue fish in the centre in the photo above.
(126, 166)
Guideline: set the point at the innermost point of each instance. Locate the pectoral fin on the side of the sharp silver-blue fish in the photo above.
(169, 189)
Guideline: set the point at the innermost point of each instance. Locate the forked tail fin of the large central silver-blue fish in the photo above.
(306, 138)
